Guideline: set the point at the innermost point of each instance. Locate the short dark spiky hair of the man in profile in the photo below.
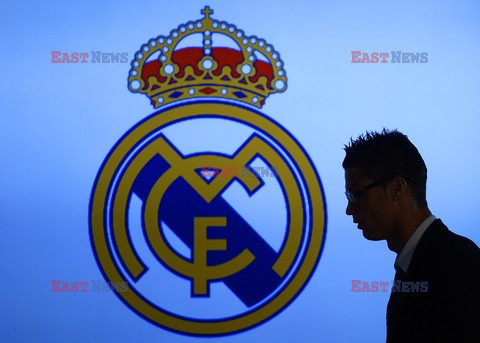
(388, 153)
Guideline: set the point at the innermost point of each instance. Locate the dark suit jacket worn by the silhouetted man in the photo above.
(449, 311)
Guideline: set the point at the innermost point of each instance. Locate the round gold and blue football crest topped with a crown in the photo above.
(211, 211)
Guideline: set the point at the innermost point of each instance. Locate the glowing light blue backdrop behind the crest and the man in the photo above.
(60, 120)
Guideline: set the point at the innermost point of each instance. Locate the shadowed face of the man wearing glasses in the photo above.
(373, 211)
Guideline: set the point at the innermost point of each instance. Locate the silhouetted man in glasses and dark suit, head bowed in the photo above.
(385, 181)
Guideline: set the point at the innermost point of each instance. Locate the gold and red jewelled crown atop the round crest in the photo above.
(168, 74)
